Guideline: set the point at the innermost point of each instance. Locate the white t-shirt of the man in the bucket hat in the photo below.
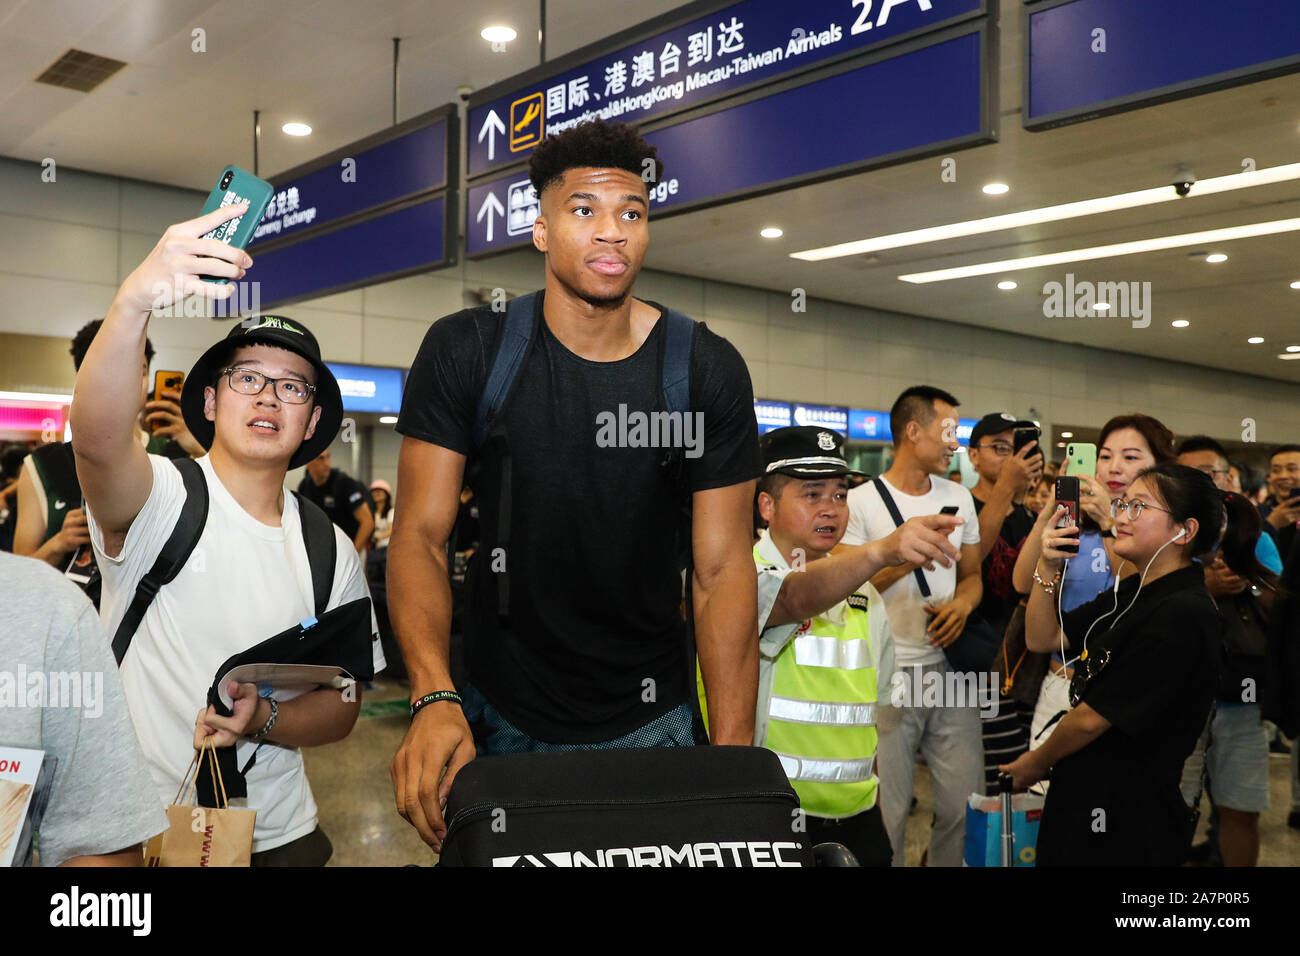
(244, 583)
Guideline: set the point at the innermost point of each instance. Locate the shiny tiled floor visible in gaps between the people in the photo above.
(354, 793)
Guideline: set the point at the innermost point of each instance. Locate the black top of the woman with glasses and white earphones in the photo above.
(1117, 802)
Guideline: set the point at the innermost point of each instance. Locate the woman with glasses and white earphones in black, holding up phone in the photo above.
(1146, 669)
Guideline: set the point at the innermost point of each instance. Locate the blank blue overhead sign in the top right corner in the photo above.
(1093, 58)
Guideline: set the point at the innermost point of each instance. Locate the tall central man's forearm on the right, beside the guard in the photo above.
(726, 607)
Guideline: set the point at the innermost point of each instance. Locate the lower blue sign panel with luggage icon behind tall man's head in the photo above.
(939, 100)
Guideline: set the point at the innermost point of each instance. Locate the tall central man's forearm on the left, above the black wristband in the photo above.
(421, 611)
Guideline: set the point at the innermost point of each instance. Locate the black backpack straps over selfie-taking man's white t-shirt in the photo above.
(318, 538)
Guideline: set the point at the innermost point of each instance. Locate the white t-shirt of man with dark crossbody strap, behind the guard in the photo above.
(870, 521)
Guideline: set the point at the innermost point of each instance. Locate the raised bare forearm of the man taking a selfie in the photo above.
(107, 399)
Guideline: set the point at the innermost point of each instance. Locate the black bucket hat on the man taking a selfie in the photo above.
(281, 334)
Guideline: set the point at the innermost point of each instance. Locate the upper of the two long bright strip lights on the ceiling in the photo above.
(1052, 214)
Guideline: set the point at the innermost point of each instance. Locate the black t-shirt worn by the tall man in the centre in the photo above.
(593, 646)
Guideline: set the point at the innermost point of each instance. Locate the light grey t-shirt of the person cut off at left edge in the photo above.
(103, 799)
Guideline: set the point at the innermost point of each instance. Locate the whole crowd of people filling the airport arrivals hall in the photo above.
(604, 592)
